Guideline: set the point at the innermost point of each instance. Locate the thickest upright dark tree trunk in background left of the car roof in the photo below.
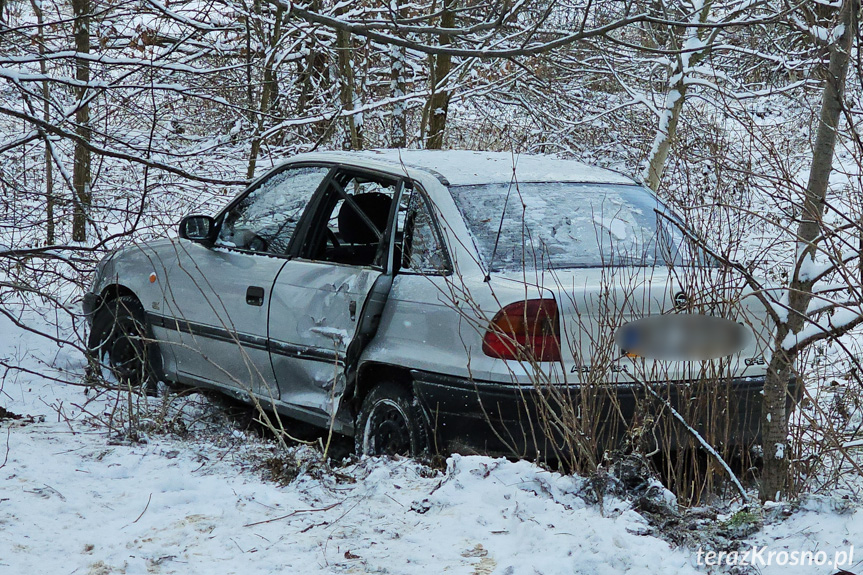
(81, 169)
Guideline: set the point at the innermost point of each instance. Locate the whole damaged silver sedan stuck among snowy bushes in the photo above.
(424, 300)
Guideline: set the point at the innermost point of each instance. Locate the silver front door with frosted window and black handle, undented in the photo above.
(217, 297)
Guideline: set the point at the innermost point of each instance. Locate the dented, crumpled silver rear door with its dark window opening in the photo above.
(342, 271)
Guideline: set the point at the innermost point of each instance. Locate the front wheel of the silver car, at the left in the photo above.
(120, 345)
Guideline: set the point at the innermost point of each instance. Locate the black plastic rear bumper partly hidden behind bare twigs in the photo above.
(548, 421)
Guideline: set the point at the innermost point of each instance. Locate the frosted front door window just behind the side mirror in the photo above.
(265, 220)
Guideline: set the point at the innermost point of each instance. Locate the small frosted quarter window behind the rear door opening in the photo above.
(422, 250)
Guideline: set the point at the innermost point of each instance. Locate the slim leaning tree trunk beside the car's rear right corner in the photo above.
(774, 425)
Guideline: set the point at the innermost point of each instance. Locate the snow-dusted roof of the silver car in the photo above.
(465, 167)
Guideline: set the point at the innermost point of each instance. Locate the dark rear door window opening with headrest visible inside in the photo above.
(352, 224)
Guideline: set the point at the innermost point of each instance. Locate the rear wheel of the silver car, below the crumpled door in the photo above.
(389, 423)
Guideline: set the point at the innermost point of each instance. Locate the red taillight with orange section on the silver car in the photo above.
(525, 330)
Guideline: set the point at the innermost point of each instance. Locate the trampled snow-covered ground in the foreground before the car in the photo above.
(171, 508)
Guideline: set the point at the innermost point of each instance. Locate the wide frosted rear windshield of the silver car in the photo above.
(559, 225)
